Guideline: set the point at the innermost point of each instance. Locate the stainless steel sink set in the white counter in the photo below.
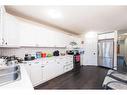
(9, 74)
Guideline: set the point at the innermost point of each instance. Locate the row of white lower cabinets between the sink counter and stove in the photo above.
(43, 70)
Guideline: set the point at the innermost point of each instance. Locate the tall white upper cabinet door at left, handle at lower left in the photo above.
(11, 31)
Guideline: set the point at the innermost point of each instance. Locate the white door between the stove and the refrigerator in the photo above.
(90, 55)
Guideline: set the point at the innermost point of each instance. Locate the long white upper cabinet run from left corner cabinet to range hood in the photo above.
(33, 35)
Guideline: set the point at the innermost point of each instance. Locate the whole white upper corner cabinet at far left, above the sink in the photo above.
(8, 30)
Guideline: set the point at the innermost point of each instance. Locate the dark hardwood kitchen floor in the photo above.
(87, 77)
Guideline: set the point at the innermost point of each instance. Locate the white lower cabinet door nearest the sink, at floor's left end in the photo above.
(36, 74)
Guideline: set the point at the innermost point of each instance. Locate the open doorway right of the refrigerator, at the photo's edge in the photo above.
(122, 52)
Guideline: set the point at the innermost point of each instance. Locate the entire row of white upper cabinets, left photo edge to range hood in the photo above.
(16, 32)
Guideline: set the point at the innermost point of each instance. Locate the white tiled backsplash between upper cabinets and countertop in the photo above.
(20, 52)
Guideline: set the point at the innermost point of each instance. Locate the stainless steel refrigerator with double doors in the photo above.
(106, 53)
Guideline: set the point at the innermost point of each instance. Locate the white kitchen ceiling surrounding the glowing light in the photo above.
(79, 19)
